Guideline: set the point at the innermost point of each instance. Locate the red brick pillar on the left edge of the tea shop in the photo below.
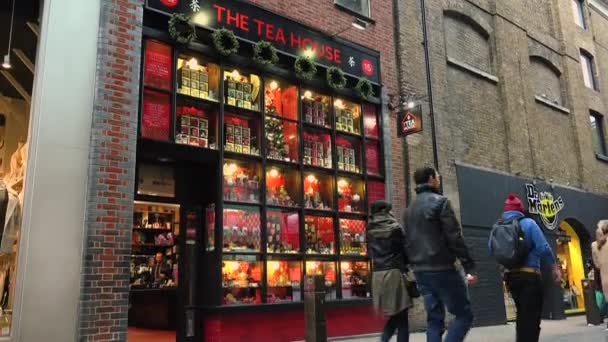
(105, 272)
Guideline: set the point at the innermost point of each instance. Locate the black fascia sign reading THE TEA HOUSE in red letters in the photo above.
(253, 23)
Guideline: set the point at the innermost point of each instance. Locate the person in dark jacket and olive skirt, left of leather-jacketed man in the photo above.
(384, 237)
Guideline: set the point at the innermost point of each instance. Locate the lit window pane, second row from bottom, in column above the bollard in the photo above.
(319, 234)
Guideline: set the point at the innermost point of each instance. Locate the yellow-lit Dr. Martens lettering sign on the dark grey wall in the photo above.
(544, 205)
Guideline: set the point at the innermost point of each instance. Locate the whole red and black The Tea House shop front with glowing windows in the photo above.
(251, 177)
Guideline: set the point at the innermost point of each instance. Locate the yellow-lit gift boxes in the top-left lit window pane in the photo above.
(193, 79)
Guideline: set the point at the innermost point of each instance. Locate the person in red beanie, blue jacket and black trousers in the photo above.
(525, 283)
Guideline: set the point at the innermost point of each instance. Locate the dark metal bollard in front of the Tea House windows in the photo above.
(314, 311)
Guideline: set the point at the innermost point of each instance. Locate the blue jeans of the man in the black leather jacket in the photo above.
(440, 290)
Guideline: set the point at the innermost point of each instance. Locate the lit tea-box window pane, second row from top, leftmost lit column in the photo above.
(196, 124)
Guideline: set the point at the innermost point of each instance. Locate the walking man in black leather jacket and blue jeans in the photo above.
(434, 242)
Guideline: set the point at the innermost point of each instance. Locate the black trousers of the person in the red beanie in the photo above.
(527, 292)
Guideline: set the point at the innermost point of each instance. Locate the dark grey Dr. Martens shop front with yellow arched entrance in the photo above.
(568, 217)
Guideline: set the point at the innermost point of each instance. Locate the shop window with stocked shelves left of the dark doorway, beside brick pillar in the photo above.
(153, 245)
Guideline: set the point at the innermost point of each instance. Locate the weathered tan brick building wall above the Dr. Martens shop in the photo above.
(509, 96)
